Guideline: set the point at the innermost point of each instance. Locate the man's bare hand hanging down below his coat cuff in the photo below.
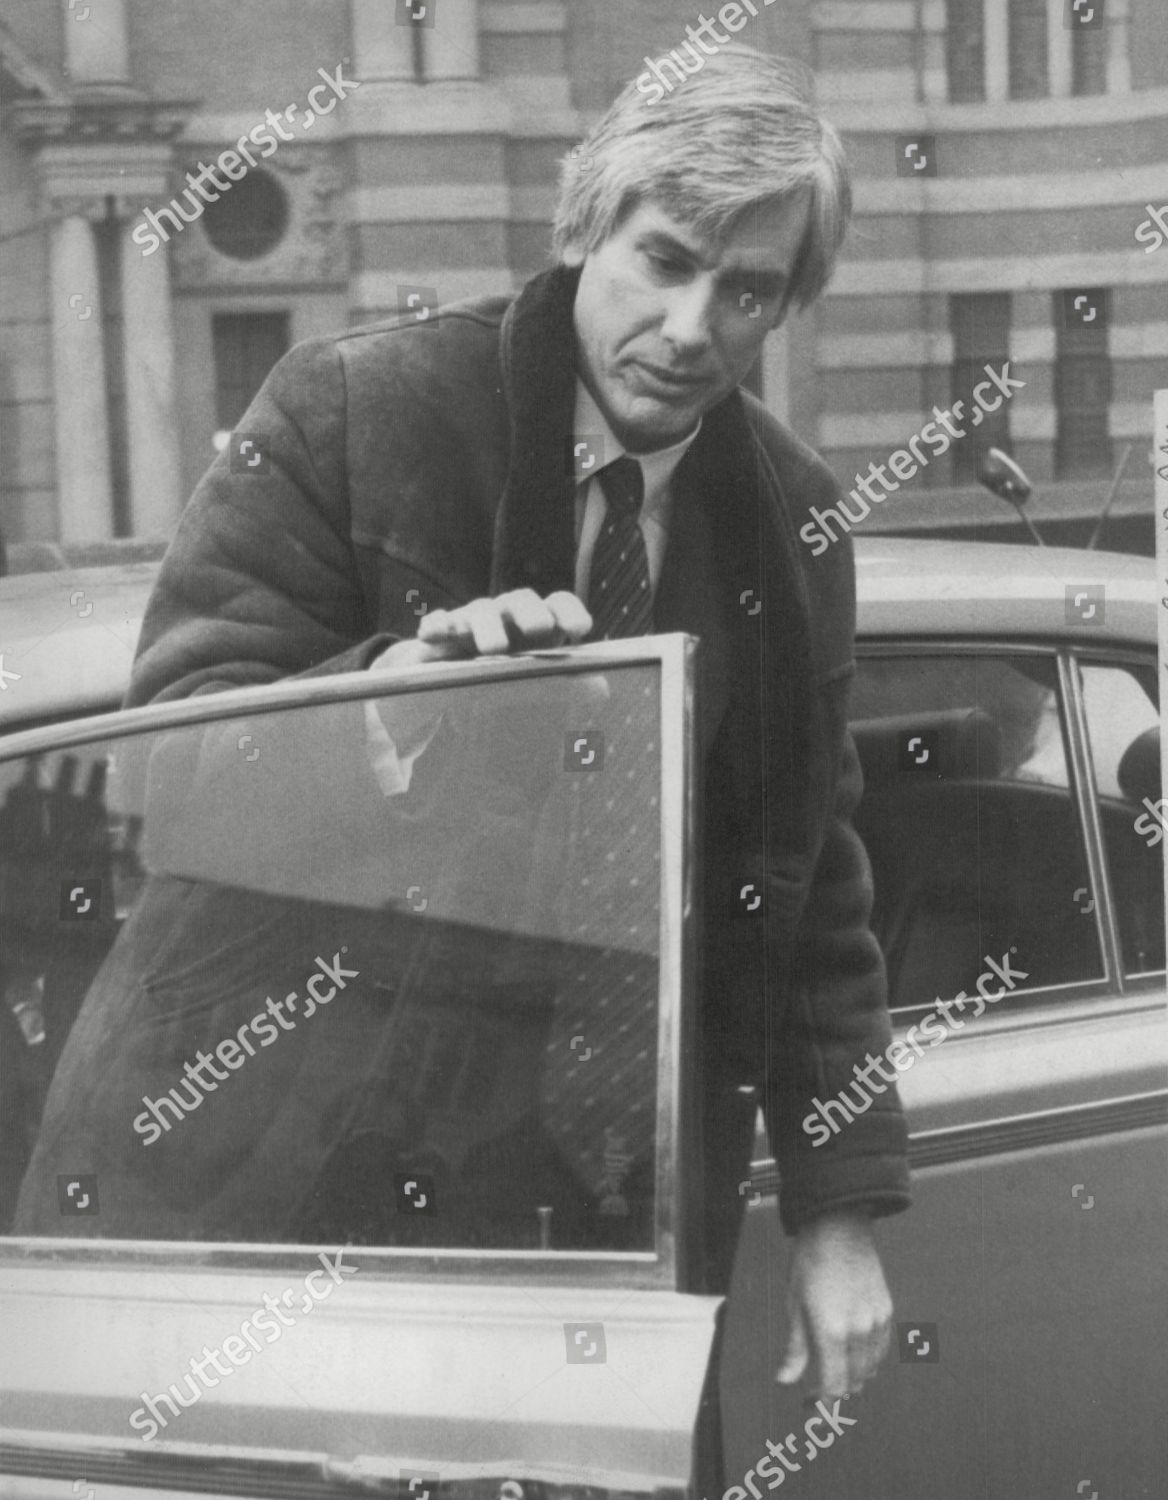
(839, 1307)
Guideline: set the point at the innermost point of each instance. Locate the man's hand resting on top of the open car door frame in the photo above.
(517, 622)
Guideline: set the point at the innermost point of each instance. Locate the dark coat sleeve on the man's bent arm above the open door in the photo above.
(262, 581)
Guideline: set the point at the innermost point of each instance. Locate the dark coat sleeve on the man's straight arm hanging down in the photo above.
(831, 968)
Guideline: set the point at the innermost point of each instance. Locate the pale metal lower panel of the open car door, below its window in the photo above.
(433, 1376)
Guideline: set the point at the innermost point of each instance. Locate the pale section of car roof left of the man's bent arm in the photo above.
(70, 637)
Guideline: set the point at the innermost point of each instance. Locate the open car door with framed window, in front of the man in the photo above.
(346, 1150)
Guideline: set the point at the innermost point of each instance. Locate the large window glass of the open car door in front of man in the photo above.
(374, 974)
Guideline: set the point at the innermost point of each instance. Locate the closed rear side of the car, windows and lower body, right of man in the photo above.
(1020, 907)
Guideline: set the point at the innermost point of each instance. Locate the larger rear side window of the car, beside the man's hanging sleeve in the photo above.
(971, 824)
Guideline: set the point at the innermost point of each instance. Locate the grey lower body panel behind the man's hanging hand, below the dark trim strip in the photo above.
(1031, 1388)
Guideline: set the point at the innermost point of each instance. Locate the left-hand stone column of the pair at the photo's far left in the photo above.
(85, 496)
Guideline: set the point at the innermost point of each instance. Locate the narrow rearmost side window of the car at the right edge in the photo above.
(1125, 734)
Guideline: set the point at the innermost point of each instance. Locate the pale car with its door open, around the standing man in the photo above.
(458, 1322)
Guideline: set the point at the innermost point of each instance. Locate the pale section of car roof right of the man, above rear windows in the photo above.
(912, 587)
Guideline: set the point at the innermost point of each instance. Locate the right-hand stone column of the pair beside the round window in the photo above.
(152, 421)
